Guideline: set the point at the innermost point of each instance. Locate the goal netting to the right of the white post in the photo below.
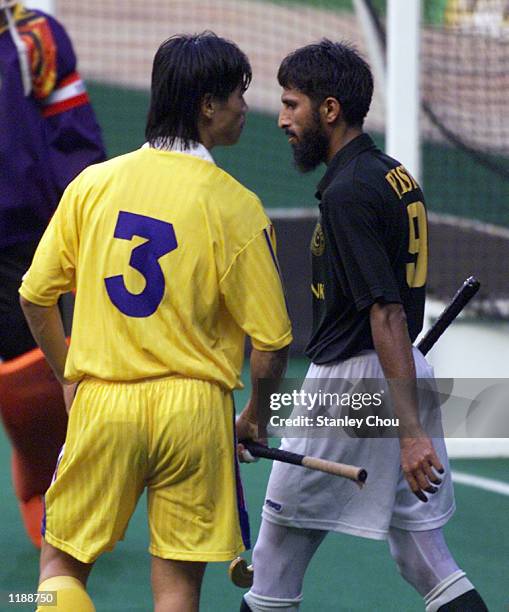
(465, 144)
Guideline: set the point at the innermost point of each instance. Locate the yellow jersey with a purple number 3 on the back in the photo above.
(173, 262)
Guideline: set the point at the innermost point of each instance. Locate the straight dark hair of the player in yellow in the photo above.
(186, 68)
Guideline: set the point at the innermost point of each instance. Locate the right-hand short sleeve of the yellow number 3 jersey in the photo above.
(253, 294)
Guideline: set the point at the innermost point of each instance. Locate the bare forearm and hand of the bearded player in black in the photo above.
(394, 349)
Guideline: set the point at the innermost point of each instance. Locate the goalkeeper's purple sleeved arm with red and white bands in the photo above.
(72, 132)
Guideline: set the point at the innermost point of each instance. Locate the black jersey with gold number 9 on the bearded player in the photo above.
(370, 245)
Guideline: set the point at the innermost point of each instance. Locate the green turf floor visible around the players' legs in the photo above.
(347, 573)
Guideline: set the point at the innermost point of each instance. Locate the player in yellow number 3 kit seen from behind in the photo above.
(169, 256)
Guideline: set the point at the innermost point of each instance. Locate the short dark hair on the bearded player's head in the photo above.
(326, 69)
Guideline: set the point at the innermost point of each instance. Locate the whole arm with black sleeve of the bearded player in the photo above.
(367, 277)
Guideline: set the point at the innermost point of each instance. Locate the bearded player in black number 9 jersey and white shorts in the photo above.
(369, 262)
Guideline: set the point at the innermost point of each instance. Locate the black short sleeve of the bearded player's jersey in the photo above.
(360, 258)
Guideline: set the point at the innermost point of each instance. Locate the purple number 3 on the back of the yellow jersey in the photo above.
(161, 239)
